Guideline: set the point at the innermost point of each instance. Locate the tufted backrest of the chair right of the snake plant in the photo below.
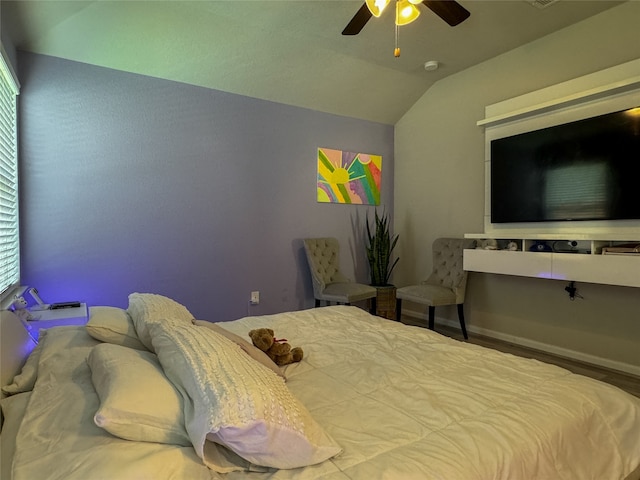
(447, 265)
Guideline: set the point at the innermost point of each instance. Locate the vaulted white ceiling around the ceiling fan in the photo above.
(290, 52)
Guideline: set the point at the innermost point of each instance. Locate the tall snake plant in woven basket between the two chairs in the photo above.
(379, 254)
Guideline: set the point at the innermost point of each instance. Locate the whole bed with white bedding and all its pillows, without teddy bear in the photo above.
(145, 393)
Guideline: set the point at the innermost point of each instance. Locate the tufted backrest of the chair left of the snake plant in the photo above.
(323, 255)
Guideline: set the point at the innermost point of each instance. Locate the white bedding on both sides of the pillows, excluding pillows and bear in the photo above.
(403, 402)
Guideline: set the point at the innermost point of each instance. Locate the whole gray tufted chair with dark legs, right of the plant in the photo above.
(447, 283)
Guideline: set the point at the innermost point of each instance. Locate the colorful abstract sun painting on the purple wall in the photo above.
(348, 177)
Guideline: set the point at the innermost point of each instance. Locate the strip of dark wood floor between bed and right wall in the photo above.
(625, 381)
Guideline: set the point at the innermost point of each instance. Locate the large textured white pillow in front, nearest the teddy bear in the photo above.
(236, 402)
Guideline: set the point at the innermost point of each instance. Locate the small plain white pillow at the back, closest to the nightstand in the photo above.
(113, 325)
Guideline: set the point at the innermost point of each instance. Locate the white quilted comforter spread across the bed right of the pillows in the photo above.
(408, 403)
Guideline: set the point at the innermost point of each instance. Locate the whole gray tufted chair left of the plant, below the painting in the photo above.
(329, 284)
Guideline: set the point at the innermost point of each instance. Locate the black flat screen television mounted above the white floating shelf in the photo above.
(583, 170)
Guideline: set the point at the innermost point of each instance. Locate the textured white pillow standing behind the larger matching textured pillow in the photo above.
(147, 308)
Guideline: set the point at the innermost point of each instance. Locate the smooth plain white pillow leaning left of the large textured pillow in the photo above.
(137, 402)
